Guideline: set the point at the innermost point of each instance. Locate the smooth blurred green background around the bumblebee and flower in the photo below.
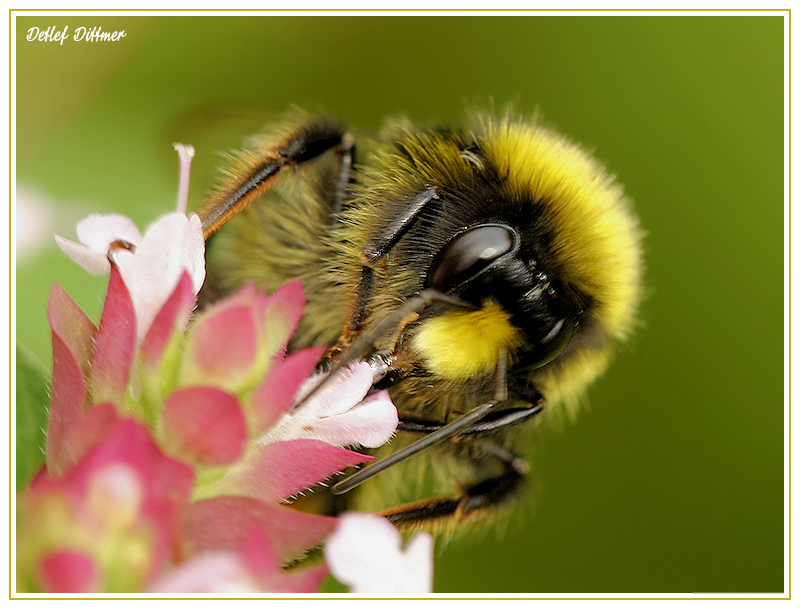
(673, 481)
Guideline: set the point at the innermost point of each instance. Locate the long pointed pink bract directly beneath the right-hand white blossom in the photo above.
(274, 472)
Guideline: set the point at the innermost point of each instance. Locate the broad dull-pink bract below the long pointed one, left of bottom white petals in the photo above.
(290, 532)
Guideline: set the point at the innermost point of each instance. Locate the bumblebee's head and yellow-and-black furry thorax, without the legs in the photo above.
(527, 227)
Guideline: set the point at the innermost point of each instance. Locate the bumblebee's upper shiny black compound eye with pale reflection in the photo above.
(468, 254)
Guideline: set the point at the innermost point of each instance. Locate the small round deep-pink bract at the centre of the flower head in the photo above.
(204, 425)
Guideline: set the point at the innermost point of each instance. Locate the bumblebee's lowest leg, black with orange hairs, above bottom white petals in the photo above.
(474, 500)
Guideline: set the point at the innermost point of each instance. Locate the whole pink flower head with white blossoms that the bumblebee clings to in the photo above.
(172, 446)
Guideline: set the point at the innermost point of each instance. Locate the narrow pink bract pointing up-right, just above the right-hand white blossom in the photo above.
(276, 394)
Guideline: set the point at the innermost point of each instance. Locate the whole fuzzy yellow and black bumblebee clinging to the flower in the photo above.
(486, 273)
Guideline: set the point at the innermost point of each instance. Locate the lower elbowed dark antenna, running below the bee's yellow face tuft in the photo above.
(440, 435)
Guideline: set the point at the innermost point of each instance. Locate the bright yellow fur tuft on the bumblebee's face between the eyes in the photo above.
(462, 344)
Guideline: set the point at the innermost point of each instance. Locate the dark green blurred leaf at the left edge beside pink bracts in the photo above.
(33, 397)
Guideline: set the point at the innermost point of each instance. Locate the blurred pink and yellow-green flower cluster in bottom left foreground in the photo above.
(108, 523)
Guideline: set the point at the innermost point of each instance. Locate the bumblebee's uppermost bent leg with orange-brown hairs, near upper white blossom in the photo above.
(301, 145)
